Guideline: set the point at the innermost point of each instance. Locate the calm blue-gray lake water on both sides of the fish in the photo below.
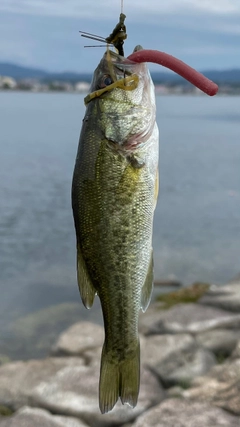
(197, 221)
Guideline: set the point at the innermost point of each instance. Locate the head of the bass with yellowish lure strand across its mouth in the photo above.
(124, 98)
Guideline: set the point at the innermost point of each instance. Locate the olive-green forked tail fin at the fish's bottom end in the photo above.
(119, 379)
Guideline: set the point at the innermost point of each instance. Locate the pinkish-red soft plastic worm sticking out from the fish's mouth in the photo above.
(179, 67)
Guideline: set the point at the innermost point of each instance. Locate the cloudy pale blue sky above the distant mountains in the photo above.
(45, 33)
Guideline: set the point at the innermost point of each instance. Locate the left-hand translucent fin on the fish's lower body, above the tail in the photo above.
(87, 290)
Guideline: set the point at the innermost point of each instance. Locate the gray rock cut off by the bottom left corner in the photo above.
(34, 417)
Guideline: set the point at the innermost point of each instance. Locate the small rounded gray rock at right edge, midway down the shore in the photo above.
(220, 341)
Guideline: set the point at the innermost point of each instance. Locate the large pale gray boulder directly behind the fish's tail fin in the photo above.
(68, 387)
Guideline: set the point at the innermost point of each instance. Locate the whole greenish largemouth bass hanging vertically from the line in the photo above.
(114, 193)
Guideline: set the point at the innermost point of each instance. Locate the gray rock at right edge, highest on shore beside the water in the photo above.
(226, 297)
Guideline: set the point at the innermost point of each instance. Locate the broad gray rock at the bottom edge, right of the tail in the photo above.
(178, 413)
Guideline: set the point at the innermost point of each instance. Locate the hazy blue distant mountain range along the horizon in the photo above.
(18, 72)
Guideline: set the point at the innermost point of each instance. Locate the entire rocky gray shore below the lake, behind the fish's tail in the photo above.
(190, 358)
